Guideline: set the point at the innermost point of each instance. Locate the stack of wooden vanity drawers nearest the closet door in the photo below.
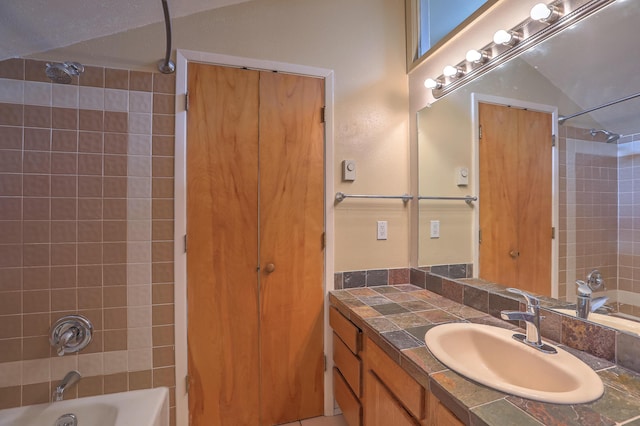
(347, 371)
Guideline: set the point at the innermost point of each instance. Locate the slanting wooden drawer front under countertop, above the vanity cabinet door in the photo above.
(409, 392)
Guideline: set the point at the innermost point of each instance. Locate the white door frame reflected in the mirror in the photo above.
(476, 99)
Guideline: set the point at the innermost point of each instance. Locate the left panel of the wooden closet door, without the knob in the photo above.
(222, 229)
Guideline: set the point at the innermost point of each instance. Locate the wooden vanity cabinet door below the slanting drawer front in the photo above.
(381, 408)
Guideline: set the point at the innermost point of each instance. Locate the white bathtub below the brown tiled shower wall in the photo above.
(148, 407)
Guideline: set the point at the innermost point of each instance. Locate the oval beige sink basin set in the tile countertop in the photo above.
(490, 356)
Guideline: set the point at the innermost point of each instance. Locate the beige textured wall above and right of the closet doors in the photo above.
(364, 43)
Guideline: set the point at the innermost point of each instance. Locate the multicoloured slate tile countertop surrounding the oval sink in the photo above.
(397, 317)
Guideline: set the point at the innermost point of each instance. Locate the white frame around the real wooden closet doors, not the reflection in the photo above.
(183, 57)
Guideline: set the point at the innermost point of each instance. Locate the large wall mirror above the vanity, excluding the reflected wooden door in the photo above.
(597, 220)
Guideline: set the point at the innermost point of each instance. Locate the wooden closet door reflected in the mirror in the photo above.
(515, 197)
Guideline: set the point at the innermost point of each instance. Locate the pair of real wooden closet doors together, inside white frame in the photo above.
(255, 258)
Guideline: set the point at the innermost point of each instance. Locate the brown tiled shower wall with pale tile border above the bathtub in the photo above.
(86, 227)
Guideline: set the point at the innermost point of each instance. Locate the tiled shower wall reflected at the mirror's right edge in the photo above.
(597, 209)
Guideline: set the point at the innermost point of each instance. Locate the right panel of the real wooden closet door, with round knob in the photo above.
(291, 231)
